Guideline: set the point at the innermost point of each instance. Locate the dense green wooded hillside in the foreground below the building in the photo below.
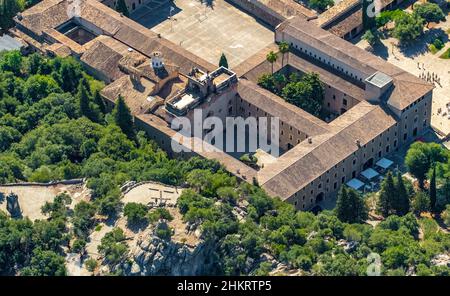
(53, 126)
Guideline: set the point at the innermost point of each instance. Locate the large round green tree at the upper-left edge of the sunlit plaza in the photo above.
(408, 28)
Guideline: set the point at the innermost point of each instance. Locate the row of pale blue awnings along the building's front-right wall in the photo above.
(370, 179)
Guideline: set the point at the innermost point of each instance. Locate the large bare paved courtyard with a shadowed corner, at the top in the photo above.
(207, 28)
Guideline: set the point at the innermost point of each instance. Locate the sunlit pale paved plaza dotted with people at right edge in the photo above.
(418, 60)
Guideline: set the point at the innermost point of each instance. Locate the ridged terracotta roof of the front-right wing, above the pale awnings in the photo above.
(306, 162)
